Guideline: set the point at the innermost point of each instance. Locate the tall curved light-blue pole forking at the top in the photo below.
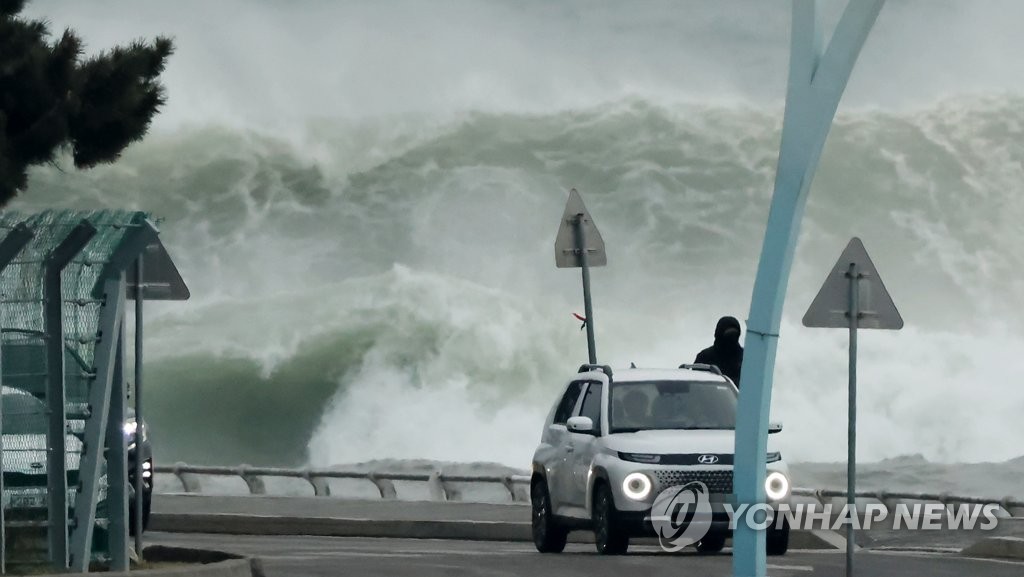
(817, 85)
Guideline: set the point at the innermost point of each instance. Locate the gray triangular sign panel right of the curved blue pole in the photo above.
(831, 308)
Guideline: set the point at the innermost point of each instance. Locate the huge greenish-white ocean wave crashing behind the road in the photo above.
(385, 288)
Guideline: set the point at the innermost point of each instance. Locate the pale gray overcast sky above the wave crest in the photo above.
(248, 62)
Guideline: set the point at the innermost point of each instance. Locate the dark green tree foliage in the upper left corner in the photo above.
(52, 101)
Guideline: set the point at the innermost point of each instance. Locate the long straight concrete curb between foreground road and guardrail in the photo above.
(395, 529)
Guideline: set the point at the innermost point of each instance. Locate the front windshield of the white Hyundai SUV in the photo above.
(671, 405)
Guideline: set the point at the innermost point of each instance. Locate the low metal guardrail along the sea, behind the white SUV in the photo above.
(442, 489)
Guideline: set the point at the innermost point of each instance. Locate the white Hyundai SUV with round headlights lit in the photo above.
(611, 446)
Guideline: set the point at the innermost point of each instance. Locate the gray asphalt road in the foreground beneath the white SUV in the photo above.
(298, 556)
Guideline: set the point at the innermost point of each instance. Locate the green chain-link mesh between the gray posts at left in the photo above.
(24, 339)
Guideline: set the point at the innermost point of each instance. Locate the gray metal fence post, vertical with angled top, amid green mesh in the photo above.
(57, 471)
